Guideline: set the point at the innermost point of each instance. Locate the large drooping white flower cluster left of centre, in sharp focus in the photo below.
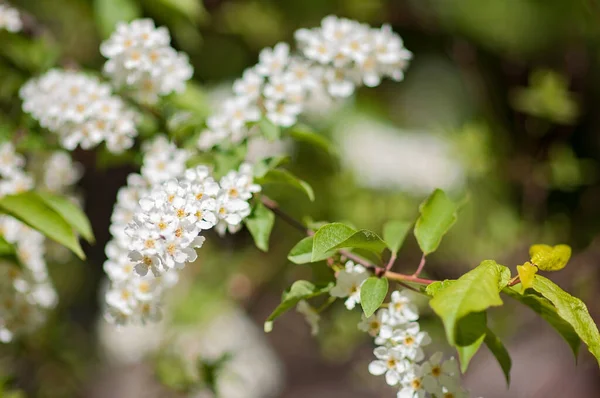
(163, 232)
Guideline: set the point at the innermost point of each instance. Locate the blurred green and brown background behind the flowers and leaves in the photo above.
(498, 108)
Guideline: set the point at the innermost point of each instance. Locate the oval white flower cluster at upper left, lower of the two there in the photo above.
(80, 109)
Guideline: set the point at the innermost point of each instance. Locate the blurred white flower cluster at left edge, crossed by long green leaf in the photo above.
(26, 292)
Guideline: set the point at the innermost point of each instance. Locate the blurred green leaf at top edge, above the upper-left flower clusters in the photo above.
(109, 12)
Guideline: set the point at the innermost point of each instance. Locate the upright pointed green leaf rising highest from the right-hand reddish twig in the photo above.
(438, 214)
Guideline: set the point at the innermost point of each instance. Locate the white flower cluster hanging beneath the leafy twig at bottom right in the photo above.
(399, 339)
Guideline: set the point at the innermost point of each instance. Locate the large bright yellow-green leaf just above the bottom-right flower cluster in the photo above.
(475, 291)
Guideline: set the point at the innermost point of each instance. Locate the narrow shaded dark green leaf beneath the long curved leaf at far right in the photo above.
(544, 308)
